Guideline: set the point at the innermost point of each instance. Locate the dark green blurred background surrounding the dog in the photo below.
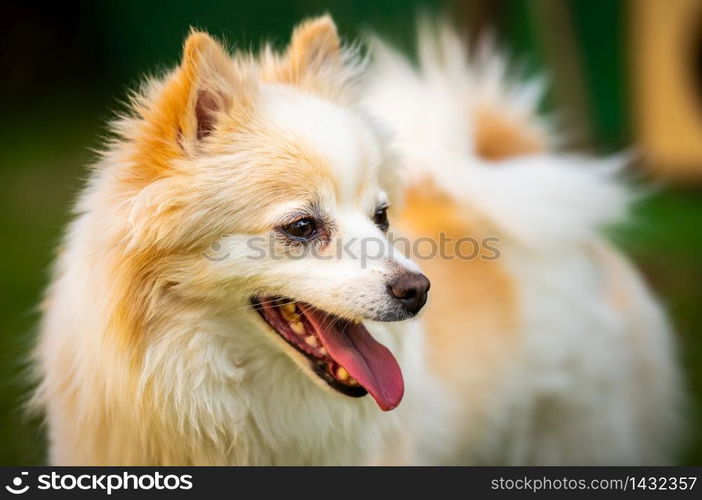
(66, 67)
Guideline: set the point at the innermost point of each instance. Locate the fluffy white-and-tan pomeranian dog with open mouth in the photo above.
(209, 306)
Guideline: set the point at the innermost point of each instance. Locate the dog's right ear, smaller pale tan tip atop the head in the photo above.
(314, 47)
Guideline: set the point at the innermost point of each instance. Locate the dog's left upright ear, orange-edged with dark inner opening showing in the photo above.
(208, 84)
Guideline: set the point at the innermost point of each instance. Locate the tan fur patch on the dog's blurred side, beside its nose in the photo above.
(472, 313)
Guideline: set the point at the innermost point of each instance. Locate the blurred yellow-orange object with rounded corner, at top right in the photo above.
(665, 42)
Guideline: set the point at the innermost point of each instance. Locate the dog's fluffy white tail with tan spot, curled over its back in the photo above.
(468, 122)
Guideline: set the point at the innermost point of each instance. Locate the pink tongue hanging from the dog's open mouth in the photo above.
(367, 360)
